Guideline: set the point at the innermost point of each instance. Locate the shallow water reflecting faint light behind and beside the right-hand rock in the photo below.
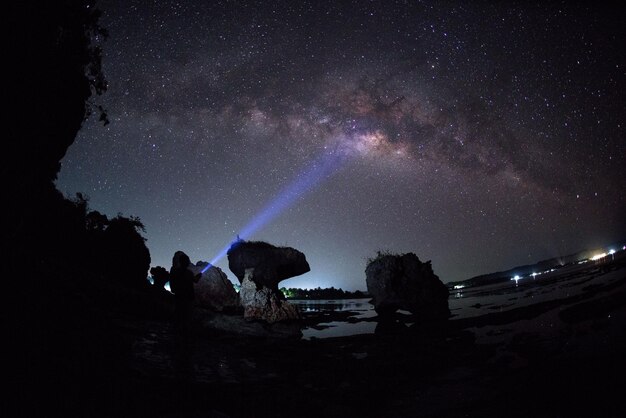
(463, 303)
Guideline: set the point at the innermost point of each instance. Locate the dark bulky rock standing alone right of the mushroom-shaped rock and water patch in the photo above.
(404, 282)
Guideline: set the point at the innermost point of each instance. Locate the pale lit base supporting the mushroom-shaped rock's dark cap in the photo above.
(261, 302)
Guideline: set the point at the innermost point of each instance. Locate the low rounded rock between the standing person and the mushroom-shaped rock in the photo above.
(214, 291)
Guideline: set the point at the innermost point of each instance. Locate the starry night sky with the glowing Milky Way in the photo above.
(479, 135)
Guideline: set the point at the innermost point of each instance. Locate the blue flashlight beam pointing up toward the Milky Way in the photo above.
(319, 170)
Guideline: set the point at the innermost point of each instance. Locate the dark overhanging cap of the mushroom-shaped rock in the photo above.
(271, 264)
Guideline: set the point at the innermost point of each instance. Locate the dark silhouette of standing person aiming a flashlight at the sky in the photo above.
(181, 283)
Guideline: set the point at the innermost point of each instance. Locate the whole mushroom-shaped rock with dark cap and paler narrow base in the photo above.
(260, 266)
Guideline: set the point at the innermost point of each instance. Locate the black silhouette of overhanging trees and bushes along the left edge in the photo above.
(57, 73)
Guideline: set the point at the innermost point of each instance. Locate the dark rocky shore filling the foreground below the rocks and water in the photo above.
(555, 358)
